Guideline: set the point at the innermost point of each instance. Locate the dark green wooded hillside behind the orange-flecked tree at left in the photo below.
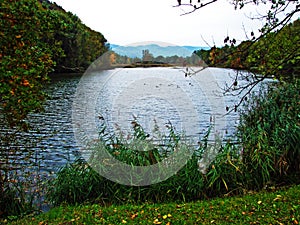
(80, 45)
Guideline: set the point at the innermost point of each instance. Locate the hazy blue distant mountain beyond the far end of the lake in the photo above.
(155, 50)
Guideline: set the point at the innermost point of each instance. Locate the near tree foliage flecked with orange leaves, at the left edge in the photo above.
(25, 60)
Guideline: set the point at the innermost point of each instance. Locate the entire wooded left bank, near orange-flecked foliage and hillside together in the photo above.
(36, 38)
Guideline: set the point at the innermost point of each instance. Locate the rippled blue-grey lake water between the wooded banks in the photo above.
(117, 97)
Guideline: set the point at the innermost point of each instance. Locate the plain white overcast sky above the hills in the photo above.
(125, 22)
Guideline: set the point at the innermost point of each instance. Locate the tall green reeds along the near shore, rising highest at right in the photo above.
(267, 156)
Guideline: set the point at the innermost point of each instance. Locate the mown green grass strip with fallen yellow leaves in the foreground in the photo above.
(276, 207)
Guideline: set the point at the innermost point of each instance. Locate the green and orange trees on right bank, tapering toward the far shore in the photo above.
(275, 54)
